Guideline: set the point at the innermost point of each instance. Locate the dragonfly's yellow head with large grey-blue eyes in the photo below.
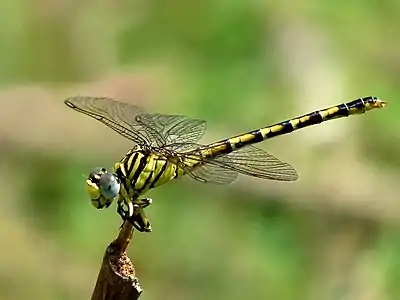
(102, 187)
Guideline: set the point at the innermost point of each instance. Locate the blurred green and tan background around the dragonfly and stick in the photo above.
(239, 65)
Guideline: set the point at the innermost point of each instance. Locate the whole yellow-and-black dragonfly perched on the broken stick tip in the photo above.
(165, 147)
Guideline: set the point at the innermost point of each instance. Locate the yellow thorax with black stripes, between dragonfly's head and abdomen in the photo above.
(143, 168)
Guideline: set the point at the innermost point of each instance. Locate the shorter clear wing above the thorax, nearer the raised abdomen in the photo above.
(175, 132)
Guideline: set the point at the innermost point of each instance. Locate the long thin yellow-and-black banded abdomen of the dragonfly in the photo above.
(358, 106)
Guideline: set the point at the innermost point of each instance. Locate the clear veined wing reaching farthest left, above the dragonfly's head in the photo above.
(119, 116)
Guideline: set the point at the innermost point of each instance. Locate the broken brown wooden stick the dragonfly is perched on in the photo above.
(117, 279)
